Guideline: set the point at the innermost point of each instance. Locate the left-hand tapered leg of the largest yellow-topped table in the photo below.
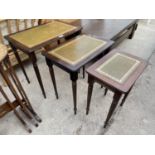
(20, 62)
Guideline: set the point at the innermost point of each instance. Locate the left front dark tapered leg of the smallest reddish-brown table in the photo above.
(90, 89)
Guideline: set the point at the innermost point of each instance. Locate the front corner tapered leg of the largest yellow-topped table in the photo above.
(36, 69)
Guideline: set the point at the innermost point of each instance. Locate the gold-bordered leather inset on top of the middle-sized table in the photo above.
(78, 49)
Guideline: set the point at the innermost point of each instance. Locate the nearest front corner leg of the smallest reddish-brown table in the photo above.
(116, 98)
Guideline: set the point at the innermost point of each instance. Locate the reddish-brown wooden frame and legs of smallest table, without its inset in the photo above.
(118, 88)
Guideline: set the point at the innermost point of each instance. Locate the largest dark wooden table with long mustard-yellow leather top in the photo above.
(37, 37)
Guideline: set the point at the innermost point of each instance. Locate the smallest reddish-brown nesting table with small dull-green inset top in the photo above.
(118, 72)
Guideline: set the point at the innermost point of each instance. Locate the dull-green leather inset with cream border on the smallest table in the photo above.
(118, 67)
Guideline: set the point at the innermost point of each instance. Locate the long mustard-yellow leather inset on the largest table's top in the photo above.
(43, 33)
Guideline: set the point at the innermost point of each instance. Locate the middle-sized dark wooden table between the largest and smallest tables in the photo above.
(74, 54)
